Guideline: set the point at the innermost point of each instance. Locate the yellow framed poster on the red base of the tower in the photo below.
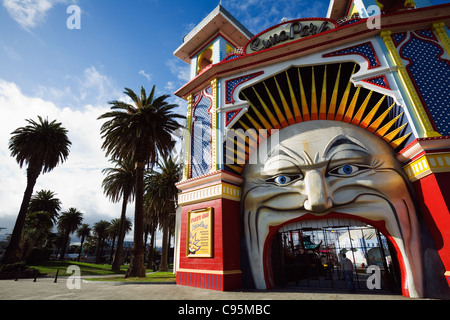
(199, 238)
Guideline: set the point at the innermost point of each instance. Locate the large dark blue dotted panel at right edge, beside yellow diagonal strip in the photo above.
(431, 76)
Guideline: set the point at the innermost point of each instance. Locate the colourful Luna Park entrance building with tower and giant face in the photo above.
(310, 129)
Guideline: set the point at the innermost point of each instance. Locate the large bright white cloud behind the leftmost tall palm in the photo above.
(77, 182)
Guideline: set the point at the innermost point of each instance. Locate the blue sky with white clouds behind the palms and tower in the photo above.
(69, 75)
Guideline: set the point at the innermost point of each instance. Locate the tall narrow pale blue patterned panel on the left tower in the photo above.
(201, 138)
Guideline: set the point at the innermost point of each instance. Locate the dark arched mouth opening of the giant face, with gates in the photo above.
(308, 254)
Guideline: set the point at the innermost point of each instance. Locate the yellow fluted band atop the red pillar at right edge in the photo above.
(427, 164)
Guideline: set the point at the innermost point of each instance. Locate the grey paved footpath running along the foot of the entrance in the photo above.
(46, 289)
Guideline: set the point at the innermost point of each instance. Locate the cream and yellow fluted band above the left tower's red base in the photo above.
(217, 191)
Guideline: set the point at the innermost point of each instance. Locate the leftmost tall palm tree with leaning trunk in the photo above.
(42, 146)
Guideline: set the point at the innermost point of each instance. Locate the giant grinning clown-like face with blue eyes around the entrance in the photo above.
(321, 168)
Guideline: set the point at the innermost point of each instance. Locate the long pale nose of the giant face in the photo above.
(318, 199)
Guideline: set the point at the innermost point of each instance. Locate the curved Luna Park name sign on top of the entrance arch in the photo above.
(288, 31)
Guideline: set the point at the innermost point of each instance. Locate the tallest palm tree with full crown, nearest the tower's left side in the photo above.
(141, 132)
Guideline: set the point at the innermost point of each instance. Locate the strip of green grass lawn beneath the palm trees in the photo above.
(51, 267)
